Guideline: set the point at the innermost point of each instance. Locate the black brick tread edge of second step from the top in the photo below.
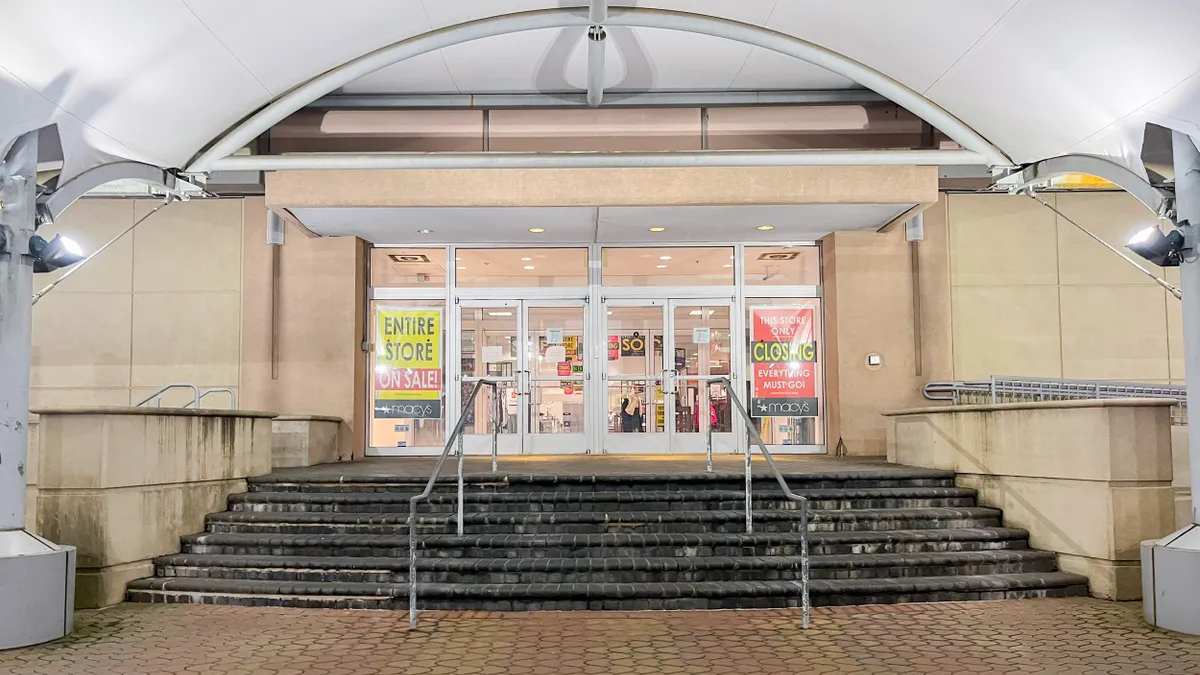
(601, 497)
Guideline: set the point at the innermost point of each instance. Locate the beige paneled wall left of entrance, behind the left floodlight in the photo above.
(163, 306)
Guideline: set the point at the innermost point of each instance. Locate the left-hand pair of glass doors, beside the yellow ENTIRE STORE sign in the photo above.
(535, 351)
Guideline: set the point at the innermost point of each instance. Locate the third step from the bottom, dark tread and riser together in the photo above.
(609, 545)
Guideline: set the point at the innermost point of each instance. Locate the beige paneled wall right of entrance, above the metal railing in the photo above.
(1031, 295)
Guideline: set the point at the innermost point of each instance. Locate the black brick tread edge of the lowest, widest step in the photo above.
(644, 590)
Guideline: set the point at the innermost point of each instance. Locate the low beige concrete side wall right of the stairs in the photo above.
(1088, 480)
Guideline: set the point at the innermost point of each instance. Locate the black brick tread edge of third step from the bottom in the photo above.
(608, 540)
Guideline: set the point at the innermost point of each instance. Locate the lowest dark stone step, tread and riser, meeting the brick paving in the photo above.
(703, 595)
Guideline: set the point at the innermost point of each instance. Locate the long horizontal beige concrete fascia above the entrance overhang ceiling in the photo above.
(591, 188)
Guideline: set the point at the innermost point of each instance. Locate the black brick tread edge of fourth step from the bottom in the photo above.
(625, 517)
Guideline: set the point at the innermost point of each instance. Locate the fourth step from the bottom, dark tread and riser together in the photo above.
(657, 522)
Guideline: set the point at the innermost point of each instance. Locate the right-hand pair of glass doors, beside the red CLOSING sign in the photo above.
(664, 378)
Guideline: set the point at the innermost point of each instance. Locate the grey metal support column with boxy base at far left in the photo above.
(37, 577)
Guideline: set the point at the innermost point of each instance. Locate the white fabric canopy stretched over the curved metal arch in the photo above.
(157, 81)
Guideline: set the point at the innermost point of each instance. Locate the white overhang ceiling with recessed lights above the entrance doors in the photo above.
(604, 225)
